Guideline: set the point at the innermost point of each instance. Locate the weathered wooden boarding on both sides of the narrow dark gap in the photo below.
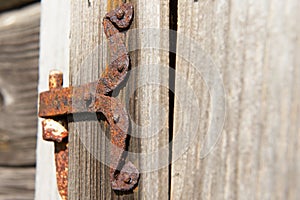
(253, 47)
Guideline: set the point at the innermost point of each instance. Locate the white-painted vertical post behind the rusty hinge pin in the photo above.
(54, 54)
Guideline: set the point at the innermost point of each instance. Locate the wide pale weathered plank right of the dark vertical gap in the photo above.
(255, 47)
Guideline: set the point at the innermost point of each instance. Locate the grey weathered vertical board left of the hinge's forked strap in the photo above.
(88, 177)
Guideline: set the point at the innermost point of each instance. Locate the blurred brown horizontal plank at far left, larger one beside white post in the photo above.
(19, 39)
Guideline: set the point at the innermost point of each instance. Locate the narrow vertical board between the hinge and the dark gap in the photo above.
(149, 108)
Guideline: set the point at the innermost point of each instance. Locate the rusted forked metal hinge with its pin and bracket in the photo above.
(59, 102)
